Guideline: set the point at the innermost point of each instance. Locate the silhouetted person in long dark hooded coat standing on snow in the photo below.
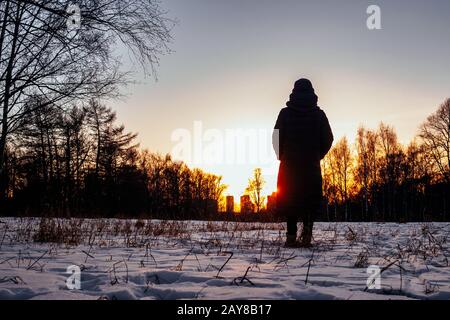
(302, 138)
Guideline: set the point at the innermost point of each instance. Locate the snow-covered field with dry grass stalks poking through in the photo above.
(137, 259)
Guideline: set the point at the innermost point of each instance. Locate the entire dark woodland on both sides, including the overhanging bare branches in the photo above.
(62, 152)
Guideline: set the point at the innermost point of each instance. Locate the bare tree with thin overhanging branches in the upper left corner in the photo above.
(40, 57)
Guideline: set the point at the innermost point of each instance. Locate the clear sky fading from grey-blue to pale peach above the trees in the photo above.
(235, 62)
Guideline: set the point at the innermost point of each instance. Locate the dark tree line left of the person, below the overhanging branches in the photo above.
(80, 162)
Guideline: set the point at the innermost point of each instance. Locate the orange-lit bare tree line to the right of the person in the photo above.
(379, 179)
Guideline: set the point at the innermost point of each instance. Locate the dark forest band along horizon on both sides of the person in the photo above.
(81, 163)
